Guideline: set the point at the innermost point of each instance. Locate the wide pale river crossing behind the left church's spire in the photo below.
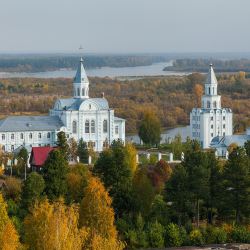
(155, 69)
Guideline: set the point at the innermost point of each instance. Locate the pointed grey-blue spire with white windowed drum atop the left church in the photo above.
(81, 82)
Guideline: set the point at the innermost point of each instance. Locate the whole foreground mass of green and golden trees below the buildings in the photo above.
(118, 203)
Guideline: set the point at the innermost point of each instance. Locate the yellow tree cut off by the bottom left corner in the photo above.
(9, 239)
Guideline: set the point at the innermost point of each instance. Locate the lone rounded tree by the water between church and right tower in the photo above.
(150, 129)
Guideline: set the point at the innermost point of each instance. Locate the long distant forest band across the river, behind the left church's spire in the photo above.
(40, 63)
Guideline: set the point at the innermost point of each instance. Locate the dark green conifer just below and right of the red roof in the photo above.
(54, 173)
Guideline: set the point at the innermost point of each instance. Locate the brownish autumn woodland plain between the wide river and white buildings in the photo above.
(170, 98)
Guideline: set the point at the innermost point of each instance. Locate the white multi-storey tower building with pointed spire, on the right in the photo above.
(211, 120)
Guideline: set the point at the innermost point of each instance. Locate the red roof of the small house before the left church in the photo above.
(39, 155)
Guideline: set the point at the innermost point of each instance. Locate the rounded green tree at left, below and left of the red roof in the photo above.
(32, 189)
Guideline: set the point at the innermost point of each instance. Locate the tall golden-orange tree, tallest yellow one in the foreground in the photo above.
(97, 215)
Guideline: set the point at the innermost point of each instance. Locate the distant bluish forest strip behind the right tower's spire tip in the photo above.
(201, 65)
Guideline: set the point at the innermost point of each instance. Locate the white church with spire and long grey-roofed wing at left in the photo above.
(79, 117)
